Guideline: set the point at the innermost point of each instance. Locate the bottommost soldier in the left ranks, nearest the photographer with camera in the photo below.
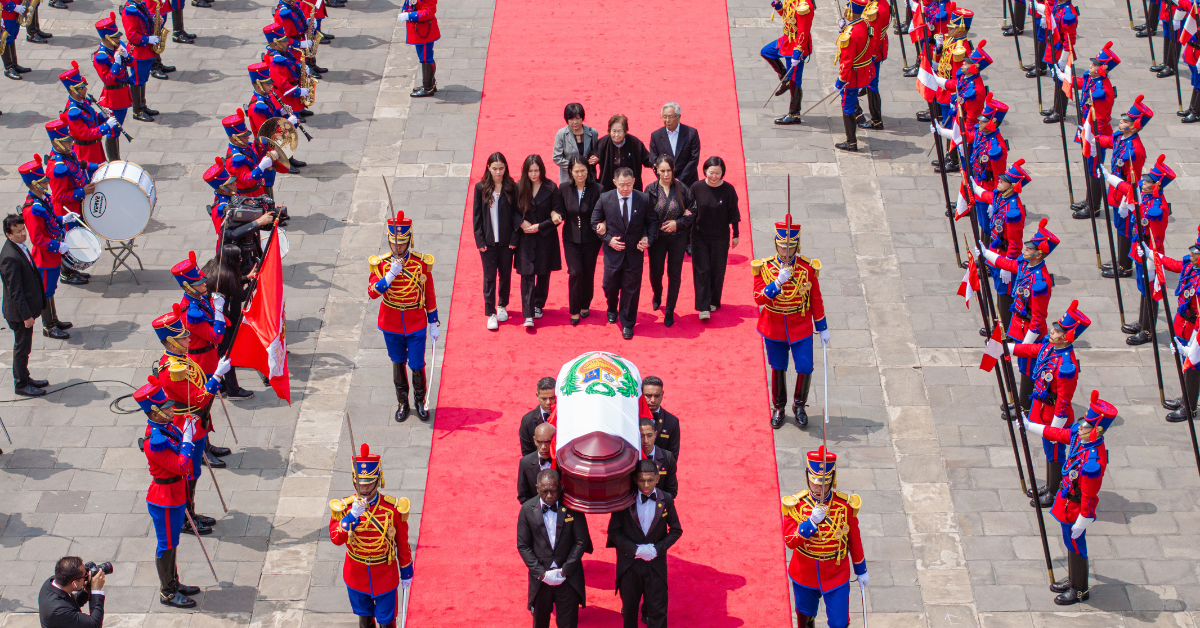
(169, 452)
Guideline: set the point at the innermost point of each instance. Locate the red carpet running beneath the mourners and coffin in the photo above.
(728, 570)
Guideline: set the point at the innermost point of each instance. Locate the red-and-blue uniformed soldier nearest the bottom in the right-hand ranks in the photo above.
(1075, 506)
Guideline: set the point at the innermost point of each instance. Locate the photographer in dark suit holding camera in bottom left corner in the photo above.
(75, 584)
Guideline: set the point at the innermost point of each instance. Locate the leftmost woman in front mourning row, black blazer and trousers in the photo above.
(497, 226)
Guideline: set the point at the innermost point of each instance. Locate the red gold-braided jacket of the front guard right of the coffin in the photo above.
(824, 554)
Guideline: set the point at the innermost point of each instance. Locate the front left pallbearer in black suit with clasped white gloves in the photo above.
(553, 541)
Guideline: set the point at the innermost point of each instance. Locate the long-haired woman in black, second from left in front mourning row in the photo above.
(542, 211)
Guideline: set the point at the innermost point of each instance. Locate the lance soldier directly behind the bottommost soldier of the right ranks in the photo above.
(1055, 376)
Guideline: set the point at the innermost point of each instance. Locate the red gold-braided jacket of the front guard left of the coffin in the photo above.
(373, 563)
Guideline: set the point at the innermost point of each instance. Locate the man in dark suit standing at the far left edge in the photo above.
(25, 298)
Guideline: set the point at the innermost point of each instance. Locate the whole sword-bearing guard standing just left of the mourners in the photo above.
(409, 310)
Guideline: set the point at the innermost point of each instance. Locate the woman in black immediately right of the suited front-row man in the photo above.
(676, 208)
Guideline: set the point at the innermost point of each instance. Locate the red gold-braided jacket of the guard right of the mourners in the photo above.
(791, 315)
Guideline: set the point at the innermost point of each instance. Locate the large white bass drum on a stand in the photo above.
(124, 200)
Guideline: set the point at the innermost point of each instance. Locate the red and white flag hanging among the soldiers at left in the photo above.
(262, 338)
